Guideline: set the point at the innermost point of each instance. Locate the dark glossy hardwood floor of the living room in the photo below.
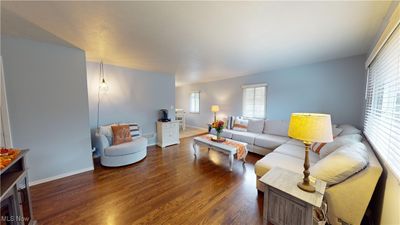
(168, 187)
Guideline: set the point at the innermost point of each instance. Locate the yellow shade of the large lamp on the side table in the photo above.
(311, 127)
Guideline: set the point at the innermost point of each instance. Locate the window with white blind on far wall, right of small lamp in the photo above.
(254, 101)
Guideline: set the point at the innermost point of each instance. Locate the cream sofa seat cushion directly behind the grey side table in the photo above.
(274, 159)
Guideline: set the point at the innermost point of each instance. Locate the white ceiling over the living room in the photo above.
(203, 41)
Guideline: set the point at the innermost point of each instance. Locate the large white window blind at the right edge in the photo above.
(382, 112)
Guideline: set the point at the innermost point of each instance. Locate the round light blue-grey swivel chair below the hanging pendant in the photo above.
(122, 154)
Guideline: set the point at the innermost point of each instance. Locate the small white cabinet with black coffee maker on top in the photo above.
(167, 133)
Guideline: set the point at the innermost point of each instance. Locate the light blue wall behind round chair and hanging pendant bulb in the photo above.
(133, 96)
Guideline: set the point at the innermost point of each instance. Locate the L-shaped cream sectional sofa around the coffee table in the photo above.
(347, 200)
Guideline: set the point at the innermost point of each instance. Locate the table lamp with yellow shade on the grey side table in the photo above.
(309, 128)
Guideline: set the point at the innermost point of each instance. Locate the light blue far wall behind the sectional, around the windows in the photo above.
(335, 87)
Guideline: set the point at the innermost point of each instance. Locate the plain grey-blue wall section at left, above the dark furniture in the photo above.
(48, 106)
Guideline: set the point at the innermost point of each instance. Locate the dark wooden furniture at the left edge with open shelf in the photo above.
(16, 207)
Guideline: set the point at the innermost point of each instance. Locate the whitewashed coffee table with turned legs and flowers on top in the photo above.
(220, 147)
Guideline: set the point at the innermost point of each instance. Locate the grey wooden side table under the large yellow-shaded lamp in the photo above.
(285, 203)
